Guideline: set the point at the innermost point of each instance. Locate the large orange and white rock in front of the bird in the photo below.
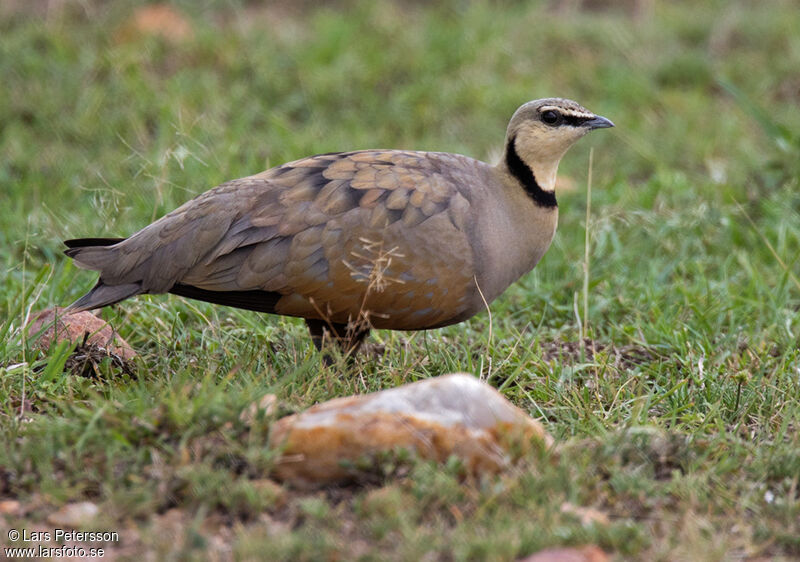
(435, 418)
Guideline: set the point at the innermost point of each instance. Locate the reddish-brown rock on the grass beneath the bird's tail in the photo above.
(55, 324)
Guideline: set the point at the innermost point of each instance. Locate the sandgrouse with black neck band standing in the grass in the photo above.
(356, 240)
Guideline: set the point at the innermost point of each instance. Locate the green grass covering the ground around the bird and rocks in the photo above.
(678, 421)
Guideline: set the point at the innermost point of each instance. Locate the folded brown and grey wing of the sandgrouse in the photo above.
(335, 236)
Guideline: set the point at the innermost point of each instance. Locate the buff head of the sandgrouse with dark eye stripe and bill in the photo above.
(541, 131)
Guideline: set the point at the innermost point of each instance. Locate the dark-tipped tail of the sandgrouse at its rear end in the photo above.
(93, 253)
